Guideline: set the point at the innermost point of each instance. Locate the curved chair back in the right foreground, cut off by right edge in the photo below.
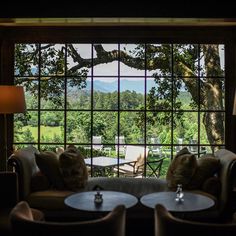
(167, 224)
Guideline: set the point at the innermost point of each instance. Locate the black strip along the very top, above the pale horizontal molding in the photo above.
(101, 8)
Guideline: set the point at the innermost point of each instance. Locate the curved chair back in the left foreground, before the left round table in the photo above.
(27, 221)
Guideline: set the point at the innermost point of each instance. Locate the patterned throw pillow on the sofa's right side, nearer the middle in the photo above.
(181, 169)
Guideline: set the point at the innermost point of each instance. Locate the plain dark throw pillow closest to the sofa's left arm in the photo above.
(48, 164)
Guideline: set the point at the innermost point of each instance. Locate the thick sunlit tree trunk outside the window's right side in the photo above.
(212, 97)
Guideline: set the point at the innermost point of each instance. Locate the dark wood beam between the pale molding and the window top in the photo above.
(128, 34)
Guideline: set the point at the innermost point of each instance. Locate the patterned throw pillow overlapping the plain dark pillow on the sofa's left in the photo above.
(73, 169)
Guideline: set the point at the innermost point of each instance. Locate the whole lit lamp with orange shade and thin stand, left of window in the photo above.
(12, 100)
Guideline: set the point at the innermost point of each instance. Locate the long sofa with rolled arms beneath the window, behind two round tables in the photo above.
(51, 201)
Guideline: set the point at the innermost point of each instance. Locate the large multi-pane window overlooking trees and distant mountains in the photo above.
(160, 96)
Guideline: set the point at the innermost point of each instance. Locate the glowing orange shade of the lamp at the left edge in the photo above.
(12, 99)
